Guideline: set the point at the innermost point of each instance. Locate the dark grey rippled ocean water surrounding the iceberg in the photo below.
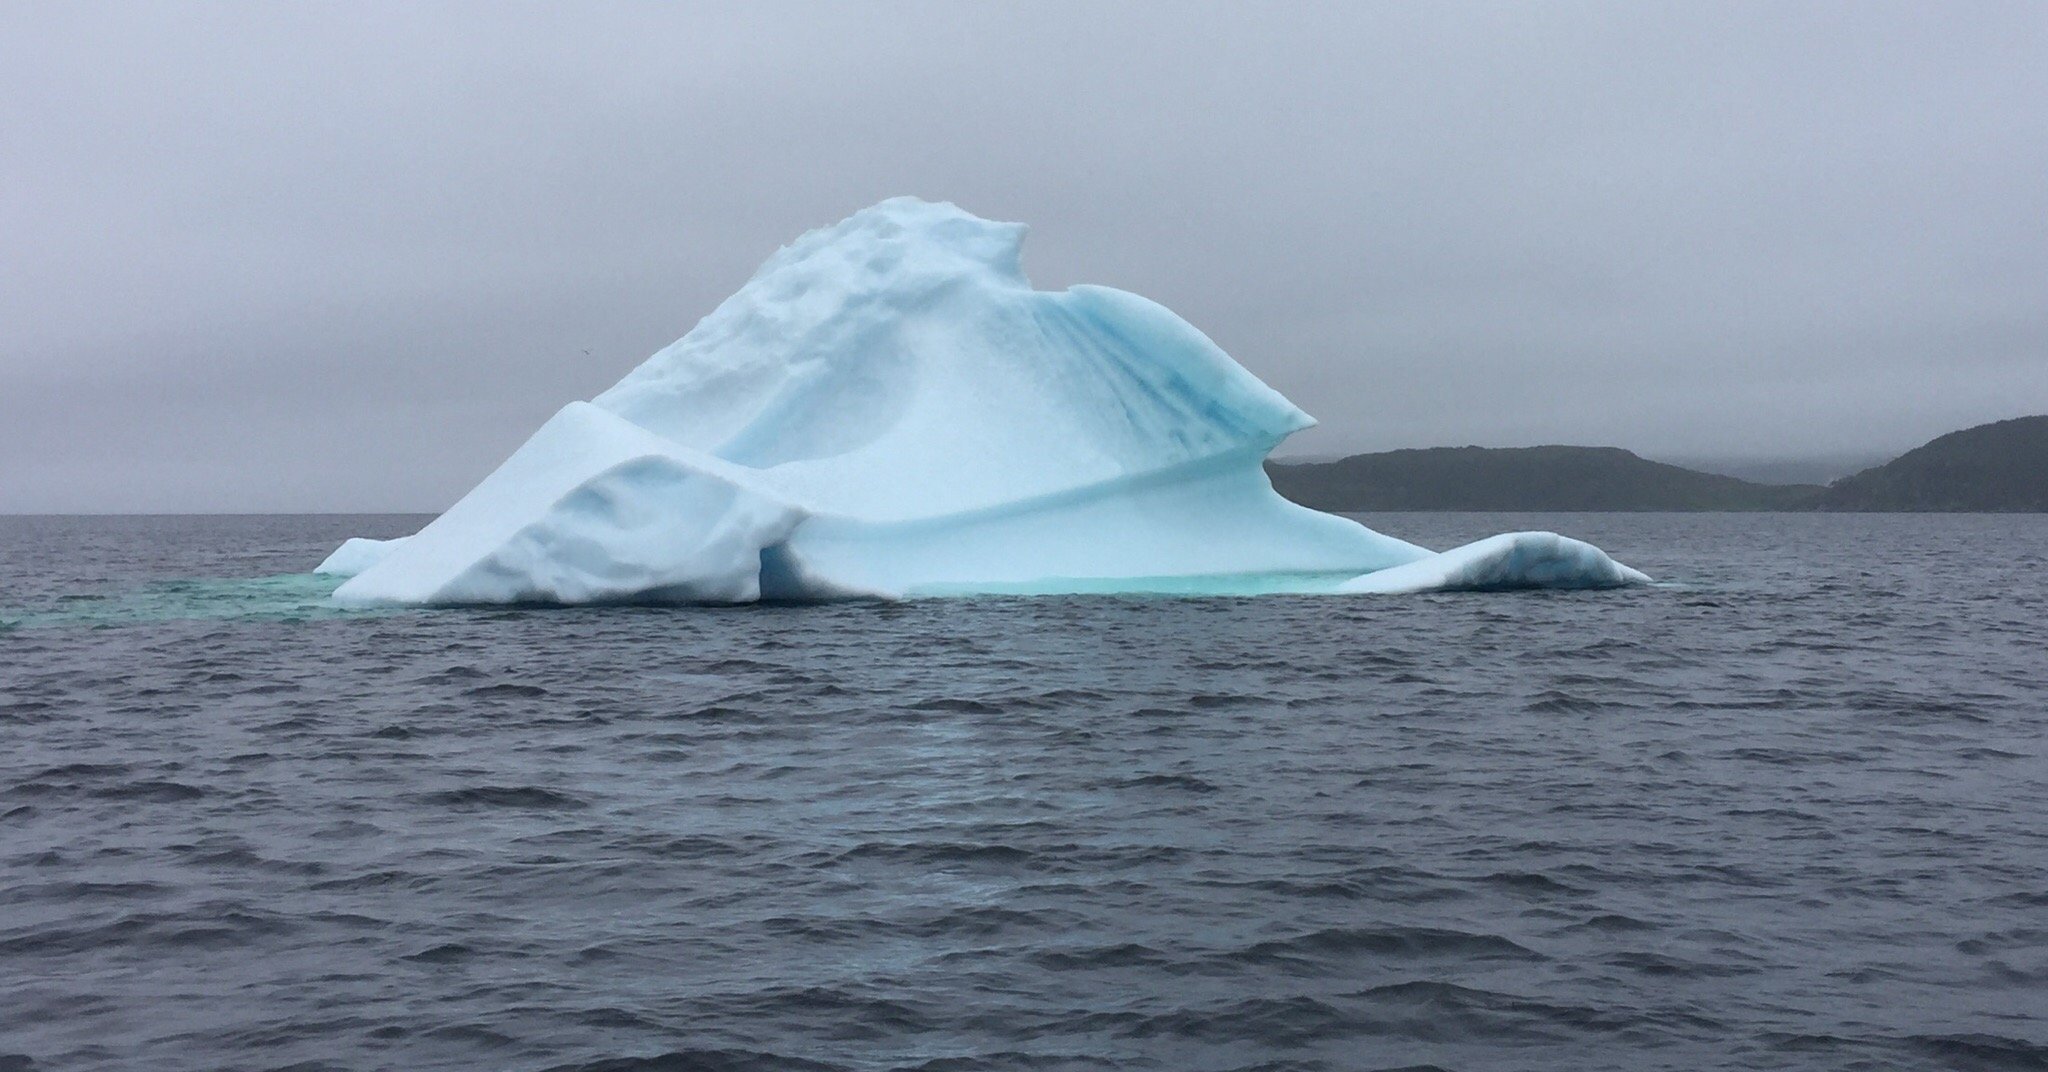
(1789, 811)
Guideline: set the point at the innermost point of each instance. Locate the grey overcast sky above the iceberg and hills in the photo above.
(347, 257)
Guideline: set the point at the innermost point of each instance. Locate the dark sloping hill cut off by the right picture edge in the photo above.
(1994, 468)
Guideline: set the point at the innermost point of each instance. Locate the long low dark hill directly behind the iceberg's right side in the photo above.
(1523, 479)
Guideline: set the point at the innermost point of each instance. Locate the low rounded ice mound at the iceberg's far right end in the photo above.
(1504, 563)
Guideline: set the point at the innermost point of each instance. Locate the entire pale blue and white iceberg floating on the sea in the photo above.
(890, 409)
